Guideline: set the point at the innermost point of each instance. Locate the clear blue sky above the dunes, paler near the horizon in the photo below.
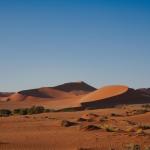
(49, 42)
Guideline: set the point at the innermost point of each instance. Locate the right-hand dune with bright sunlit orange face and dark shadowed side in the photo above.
(110, 96)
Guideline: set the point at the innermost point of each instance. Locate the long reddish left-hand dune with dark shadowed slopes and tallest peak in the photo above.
(64, 91)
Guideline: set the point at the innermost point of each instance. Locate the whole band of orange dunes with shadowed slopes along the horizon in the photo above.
(76, 94)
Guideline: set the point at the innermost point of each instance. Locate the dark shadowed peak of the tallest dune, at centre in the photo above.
(75, 87)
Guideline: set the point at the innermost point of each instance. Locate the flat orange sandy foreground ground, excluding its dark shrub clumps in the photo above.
(44, 131)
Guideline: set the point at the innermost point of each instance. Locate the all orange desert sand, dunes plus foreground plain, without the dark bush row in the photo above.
(116, 119)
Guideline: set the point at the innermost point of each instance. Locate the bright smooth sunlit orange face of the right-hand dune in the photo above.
(105, 92)
